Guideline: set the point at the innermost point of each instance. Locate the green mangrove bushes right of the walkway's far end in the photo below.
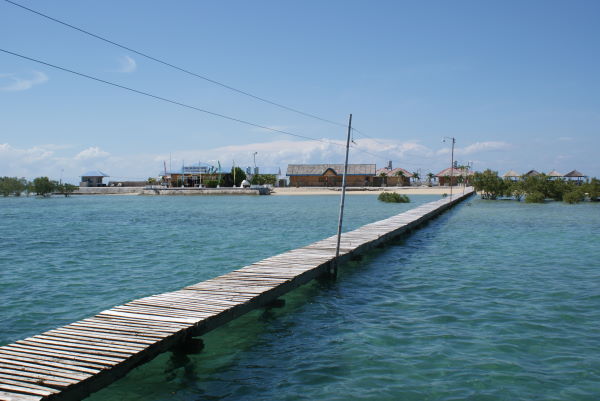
(535, 189)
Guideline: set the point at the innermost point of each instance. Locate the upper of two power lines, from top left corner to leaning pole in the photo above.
(181, 69)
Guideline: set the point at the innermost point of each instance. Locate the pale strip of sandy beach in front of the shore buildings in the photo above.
(365, 190)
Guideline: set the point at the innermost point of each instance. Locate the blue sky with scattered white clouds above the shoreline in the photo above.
(516, 82)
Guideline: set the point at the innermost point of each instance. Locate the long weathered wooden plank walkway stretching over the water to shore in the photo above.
(71, 362)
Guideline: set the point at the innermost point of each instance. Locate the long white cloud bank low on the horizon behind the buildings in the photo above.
(57, 161)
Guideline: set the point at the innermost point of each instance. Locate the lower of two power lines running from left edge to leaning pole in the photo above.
(167, 100)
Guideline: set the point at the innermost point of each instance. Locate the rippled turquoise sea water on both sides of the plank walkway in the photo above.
(494, 300)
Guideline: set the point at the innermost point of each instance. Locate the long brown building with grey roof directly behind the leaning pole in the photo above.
(330, 175)
